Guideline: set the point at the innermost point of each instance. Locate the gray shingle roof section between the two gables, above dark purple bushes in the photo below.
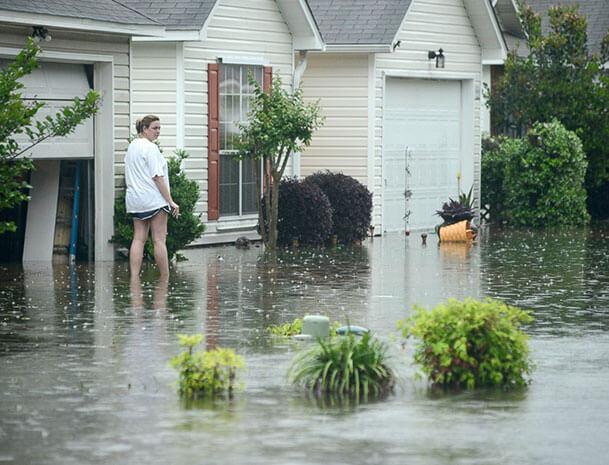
(358, 22)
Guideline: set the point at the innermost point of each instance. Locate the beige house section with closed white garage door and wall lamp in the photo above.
(400, 87)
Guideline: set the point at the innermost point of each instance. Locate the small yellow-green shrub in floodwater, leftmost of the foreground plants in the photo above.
(206, 374)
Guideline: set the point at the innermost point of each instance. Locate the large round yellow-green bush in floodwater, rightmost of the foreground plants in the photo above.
(471, 344)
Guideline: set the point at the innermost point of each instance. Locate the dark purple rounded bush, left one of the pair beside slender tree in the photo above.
(304, 213)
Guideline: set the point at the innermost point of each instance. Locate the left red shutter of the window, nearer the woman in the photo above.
(213, 141)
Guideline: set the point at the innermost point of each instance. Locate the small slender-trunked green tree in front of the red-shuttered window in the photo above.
(278, 125)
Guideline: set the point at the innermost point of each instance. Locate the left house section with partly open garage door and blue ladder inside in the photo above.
(85, 45)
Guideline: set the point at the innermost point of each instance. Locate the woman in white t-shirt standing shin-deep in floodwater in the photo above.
(148, 197)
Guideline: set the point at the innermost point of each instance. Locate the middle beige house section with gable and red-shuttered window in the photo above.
(195, 78)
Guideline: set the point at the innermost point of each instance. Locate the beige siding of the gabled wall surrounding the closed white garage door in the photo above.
(429, 25)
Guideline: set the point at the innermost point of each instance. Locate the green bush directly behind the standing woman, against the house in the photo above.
(180, 231)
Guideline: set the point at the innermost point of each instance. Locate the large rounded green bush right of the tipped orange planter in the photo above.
(538, 180)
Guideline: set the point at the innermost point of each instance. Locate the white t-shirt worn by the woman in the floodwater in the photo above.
(142, 163)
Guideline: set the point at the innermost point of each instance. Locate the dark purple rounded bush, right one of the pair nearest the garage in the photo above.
(351, 203)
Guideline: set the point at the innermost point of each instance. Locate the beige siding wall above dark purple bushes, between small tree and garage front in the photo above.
(340, 83)
